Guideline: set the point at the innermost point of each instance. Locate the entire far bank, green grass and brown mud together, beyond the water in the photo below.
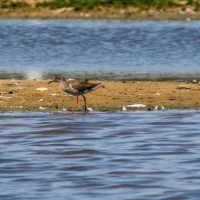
(101, 9)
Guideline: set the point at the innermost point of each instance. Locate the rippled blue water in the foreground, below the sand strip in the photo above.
(101, 155)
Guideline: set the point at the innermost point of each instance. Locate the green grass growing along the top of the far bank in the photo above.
(142, 4)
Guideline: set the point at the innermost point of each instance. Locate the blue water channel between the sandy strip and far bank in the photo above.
(99, 49)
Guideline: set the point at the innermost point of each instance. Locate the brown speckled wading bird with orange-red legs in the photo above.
(76, 88)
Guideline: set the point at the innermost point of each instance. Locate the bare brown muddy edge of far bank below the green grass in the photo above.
(99, 13)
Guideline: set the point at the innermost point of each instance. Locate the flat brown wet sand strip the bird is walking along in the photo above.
(21, 95)
